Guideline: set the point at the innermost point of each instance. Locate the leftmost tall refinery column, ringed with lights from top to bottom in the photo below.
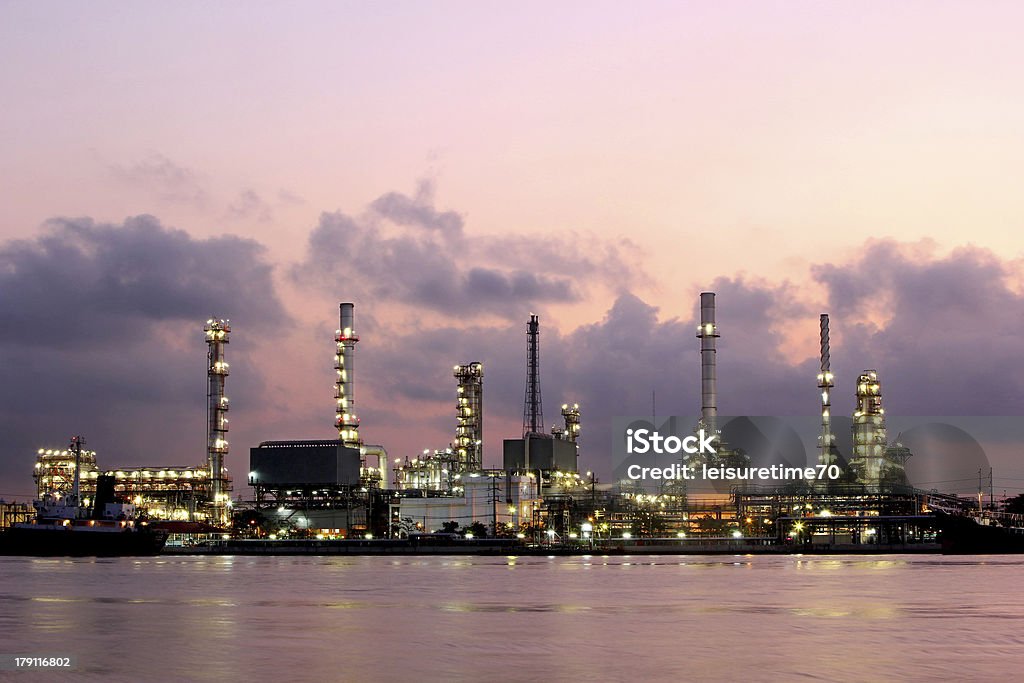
(218, 333)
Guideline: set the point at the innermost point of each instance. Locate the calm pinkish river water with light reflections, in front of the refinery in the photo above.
(529, 619)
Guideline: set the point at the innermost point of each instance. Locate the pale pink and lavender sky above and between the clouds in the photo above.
(720, 139)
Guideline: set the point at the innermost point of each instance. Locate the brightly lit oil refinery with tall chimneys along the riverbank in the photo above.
(347, 489)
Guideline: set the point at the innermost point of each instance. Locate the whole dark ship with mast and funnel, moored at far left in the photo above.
(64, 527)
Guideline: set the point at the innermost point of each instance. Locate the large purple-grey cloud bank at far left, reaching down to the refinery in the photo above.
(103, 336)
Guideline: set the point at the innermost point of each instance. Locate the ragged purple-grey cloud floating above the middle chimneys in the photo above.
(405, 251)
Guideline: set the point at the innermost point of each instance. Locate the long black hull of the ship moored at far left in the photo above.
(44, 542)
